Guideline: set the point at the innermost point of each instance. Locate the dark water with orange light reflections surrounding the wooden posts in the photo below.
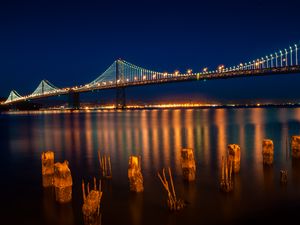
(158, 136)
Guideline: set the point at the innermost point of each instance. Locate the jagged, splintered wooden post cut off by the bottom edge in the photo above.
(91, 204)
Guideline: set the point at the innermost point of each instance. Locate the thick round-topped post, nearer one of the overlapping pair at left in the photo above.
(62, 182)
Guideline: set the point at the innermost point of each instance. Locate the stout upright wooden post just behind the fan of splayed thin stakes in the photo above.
(188, 164)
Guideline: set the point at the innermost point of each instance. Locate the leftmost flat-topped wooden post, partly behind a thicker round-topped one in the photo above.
(47, 168)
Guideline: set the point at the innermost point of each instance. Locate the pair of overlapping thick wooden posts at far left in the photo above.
(57, 175)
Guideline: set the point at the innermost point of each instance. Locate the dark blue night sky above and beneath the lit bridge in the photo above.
(72, 42)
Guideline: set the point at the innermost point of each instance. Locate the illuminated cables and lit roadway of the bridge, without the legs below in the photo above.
(123, 73)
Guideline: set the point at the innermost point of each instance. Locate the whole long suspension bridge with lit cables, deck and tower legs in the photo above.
(121, 74)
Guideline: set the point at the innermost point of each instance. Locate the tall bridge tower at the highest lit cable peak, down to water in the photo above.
(120, 89)
